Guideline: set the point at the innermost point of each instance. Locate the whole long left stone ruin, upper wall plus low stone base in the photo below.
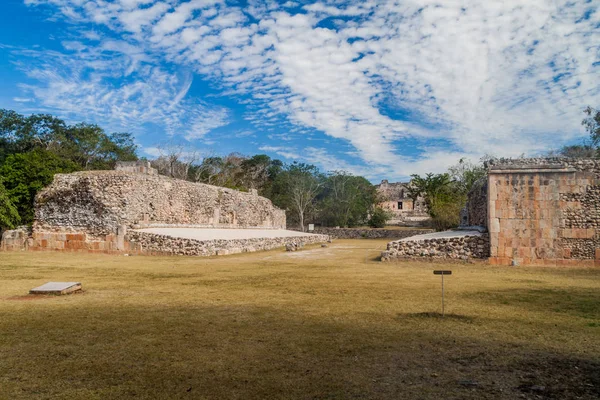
(102, 211)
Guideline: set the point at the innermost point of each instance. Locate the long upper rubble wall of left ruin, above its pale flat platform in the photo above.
(99, 202)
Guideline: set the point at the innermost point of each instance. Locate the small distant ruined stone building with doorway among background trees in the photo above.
(405, 211)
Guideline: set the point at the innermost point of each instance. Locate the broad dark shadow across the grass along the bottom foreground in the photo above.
(234, 351)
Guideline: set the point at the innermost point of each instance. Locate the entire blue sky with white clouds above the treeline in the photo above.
(382, 88)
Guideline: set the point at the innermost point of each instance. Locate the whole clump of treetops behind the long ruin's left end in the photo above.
(34, 148)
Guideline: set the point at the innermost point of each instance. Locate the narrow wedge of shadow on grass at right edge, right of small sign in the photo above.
(583, 303)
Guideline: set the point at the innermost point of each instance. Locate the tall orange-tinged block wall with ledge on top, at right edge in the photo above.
(544, 211)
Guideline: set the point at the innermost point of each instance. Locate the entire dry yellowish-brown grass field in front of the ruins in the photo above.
(321, 323)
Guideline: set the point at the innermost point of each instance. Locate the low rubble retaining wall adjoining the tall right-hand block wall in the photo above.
(458, 248)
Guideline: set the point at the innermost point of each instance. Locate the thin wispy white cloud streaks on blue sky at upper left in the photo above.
(116, 86)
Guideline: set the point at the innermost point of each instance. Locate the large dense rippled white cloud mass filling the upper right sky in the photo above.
(501, 77)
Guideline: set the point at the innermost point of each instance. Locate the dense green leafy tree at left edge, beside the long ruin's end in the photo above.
(24, 174)
